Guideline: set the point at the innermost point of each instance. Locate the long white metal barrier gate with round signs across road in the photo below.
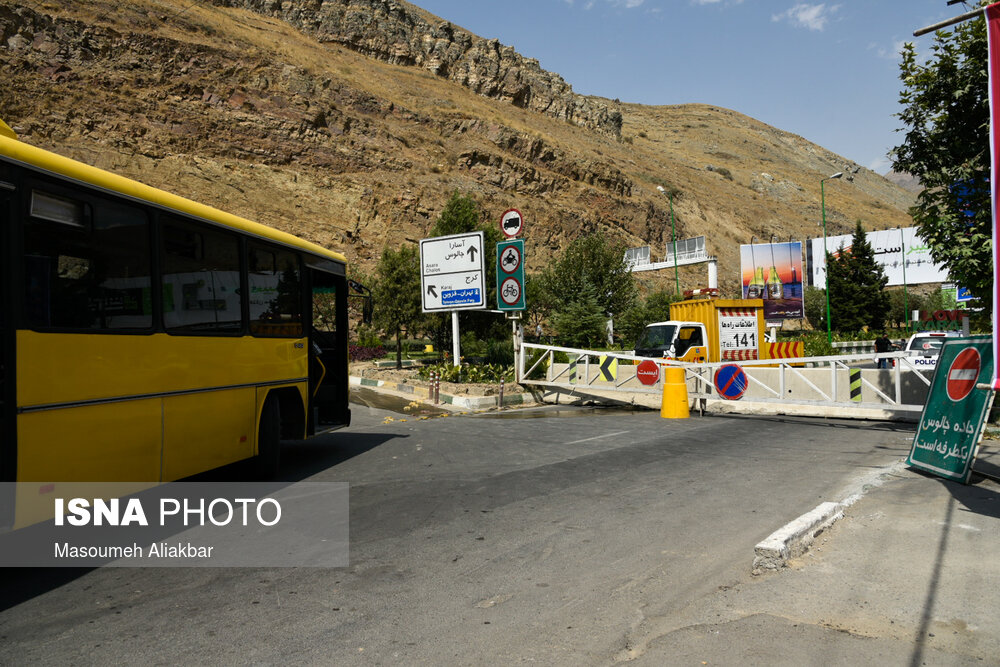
(809, 386)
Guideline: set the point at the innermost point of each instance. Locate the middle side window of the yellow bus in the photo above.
(201, 280)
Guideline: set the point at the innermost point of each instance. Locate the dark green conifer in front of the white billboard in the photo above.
(857, 286)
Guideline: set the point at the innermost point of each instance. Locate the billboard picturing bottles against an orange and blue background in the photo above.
(773, 272)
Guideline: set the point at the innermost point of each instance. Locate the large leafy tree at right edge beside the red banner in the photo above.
(946, 118)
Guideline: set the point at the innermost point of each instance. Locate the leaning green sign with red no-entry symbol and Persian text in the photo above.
(955, 412)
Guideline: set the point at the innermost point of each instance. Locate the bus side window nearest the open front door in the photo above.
(275, 281)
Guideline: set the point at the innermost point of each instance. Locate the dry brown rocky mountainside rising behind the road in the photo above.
(350, 123)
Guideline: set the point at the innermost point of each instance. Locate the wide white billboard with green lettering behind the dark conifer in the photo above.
(896, 250)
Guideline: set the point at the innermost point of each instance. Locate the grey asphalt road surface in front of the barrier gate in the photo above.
(547, 536)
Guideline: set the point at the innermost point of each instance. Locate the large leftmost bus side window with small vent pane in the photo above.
(86, 264)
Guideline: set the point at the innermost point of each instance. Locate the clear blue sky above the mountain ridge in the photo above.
(826, 71)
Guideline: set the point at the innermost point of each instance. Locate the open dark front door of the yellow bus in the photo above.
(328, 408)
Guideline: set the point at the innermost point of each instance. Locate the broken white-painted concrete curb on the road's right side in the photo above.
(794, 538)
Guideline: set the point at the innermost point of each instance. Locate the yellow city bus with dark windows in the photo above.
(146, 338)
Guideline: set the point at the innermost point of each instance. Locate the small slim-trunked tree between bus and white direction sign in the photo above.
(397, 293)
